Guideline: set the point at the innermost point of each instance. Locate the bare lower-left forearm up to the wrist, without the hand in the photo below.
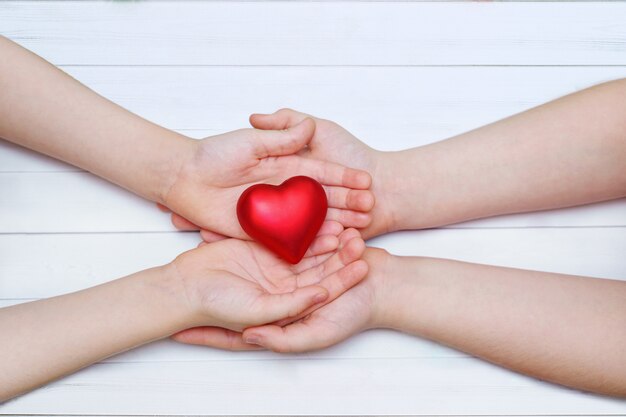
(47, 339)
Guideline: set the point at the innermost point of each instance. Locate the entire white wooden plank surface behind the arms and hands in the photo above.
(398, 74)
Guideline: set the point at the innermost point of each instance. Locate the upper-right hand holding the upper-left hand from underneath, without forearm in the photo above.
(333, 143)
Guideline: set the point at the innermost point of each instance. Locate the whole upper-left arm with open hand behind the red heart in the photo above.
(44, 109)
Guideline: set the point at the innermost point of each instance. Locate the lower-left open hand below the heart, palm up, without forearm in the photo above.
(234, 284)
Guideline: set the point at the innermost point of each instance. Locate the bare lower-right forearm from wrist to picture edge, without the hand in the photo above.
(566, 329)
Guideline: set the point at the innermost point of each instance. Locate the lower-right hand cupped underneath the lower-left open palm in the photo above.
(356, 310)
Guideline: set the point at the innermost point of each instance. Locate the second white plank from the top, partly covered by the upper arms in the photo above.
(414, 106)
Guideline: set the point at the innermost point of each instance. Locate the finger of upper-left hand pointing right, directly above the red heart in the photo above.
(329, 173)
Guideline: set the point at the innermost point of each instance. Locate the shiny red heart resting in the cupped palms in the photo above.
(284, 218)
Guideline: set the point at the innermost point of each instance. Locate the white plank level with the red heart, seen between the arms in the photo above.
(81, 202)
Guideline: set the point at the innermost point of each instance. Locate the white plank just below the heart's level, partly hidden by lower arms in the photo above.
(38, 266)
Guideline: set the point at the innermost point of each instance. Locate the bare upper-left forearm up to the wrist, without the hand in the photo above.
(44, 109)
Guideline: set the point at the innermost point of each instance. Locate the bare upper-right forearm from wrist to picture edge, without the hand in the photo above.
(567, 152)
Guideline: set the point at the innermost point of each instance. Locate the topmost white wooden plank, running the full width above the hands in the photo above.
(319, 33)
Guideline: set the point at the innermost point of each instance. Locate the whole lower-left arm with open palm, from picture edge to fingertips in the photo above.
(226, 286)
